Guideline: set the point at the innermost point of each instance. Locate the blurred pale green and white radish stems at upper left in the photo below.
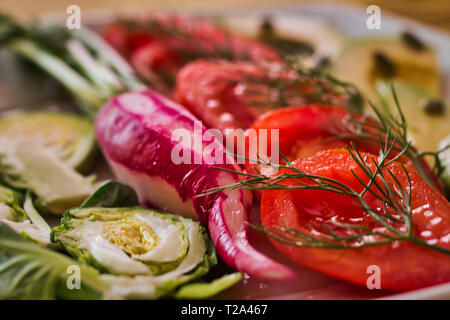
(80, 60)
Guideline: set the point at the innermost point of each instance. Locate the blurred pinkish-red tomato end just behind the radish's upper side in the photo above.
(215, 92)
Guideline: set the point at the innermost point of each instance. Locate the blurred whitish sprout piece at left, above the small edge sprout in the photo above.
(25, 164)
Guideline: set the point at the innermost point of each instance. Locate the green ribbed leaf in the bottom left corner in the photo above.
(29, 271)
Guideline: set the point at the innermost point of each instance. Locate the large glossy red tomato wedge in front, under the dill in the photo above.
(404, 265)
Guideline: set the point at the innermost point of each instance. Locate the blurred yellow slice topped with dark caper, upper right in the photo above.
(384, 58)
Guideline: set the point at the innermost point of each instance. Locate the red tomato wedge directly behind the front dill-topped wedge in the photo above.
(307, 130)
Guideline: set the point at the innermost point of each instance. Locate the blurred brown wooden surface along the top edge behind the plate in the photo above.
(434, 13)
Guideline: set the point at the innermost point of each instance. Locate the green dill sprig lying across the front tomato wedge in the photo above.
(391, 224)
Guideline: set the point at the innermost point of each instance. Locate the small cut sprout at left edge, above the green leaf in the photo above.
(25, 221)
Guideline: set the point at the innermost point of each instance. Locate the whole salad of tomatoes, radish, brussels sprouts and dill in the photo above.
(354, 172)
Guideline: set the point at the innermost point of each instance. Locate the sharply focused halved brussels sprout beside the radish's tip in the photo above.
(124, 240)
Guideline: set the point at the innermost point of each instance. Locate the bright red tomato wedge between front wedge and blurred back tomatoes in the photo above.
(306, 130)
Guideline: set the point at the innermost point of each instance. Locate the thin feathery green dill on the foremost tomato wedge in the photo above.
(333, 234)
